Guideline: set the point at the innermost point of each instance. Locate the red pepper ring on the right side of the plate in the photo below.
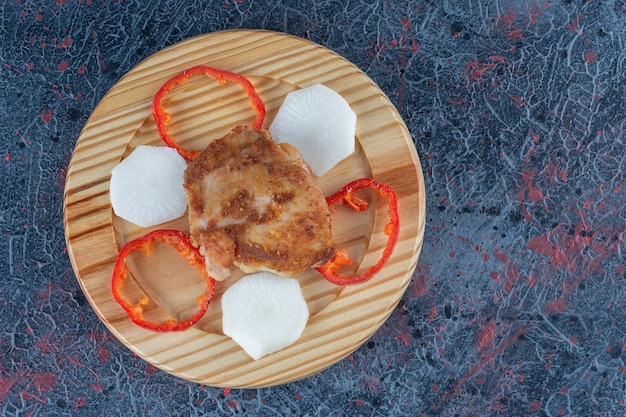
(392, 229)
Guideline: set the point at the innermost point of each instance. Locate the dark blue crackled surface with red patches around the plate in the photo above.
(517, 306)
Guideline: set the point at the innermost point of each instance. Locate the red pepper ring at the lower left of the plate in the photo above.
(180, 242)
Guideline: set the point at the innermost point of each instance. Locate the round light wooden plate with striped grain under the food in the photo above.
(342, 318)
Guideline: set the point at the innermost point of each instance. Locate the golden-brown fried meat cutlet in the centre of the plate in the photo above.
(253, 204)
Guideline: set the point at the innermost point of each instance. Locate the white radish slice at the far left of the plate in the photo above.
(147, 186)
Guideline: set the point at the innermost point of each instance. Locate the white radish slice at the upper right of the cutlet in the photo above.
(320, 123)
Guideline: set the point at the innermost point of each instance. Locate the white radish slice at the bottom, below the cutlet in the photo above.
(264, 312)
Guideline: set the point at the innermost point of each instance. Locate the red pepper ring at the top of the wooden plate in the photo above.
(162, 118)
